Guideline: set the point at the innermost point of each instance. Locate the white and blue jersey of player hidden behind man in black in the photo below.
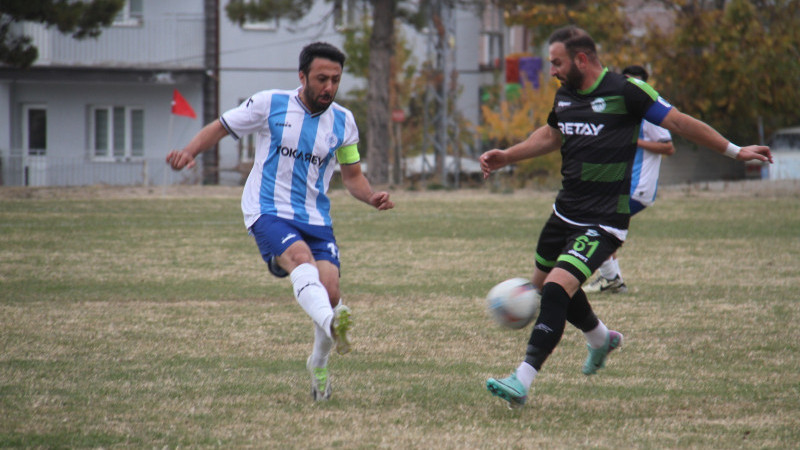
(647, 165)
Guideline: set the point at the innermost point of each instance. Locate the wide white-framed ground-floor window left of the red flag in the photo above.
(117, 132)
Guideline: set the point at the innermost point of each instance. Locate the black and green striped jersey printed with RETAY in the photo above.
(599, 128)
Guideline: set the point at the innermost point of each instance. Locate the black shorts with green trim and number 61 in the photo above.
(577, 249)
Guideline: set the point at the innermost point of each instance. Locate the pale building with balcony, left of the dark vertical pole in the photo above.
(95, 111)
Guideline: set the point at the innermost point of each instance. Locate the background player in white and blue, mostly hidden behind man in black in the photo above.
(654, 141)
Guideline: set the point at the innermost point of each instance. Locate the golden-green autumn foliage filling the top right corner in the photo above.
(730, 63)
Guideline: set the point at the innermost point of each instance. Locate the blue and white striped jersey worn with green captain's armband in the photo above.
(296, 153)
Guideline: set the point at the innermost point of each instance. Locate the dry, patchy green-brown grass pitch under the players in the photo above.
(149, 320)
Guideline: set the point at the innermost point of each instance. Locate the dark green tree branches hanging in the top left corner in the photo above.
(82, 20)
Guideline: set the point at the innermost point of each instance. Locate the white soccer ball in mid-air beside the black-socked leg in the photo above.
(513, 303)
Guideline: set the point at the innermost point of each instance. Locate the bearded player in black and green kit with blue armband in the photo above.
(595, 123)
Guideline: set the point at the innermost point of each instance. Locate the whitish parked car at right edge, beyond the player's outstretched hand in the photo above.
(785, 147)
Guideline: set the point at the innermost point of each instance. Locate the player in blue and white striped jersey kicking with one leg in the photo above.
(301, 135)
